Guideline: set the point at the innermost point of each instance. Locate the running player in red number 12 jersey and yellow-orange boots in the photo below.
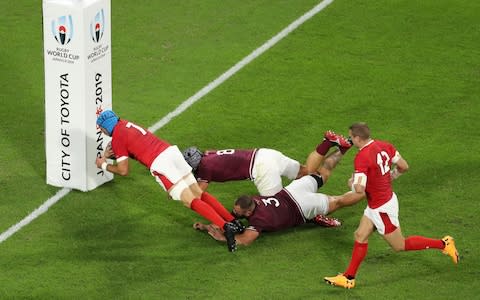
(372, 179)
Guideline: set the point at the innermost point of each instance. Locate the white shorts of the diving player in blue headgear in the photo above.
(169, 168)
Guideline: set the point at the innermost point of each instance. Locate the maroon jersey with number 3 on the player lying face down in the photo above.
(275, 213)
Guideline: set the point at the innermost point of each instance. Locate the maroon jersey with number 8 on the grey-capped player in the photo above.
(226, 165)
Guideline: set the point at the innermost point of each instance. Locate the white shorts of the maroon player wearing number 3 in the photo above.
(310, 202)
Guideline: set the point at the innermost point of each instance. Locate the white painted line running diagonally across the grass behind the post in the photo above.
(182, 107)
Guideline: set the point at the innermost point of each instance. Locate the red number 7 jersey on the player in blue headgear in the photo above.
(131, 140)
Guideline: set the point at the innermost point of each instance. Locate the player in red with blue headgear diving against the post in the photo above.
(166, 164)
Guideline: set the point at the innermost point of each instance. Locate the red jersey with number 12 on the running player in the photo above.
(374, 160)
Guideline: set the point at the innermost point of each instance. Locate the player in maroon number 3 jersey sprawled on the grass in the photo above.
(296, 204)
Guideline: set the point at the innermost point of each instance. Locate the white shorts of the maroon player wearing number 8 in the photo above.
(269, 167)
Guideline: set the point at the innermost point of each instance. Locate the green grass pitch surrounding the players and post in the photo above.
(408, 68)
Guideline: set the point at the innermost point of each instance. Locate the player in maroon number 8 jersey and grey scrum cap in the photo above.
(265, 167)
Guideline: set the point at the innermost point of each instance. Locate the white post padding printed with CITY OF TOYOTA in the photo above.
(78, 86)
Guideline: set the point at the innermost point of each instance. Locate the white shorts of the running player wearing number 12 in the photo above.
(385, 217)
